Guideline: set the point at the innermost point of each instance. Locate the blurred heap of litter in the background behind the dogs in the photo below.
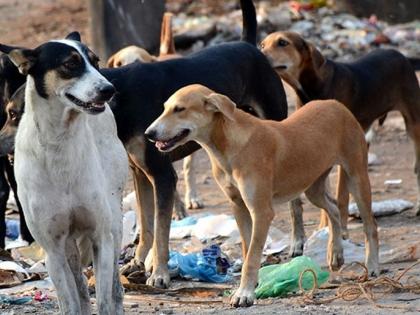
(339, 36)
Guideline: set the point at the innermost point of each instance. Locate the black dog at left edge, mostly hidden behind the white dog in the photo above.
(10, 81)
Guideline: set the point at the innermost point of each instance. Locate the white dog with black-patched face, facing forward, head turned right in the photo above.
(71, 168)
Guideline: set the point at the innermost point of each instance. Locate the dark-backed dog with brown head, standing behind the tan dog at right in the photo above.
(382, 81)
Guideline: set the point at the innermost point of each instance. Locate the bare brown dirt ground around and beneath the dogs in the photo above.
(28, 23)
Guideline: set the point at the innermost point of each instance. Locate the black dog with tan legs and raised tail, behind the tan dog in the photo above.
(237, 70)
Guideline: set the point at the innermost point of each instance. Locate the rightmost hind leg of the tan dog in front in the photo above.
(359, 186)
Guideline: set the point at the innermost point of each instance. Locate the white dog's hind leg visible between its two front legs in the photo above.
(74, 261)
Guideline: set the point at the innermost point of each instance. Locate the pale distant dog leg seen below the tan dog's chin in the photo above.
(192, 201)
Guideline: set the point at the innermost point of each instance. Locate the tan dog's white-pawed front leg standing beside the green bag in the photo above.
(262, 214)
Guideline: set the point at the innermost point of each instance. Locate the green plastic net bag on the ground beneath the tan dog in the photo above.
(279, 280)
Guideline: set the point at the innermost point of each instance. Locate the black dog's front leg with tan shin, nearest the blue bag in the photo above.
(164, 185)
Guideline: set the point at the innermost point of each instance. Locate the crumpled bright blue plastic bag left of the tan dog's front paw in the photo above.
(207, 266)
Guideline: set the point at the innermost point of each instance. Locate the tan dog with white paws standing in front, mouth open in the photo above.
(253, 160)
